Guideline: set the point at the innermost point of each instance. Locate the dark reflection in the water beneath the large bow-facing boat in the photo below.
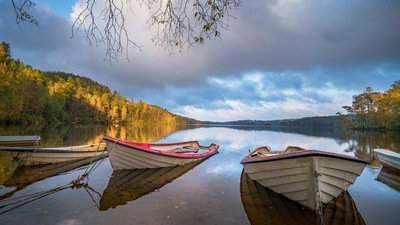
(264, 206)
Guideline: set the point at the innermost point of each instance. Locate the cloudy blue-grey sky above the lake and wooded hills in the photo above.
(278, 59)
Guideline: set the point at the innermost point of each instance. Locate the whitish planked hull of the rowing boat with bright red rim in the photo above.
(126, 157)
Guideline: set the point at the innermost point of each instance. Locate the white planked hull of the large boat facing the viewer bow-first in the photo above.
(310, 179)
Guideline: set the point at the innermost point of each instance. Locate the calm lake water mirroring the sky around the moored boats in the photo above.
(211, 192)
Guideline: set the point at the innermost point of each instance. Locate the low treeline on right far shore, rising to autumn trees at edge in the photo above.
(369, 111)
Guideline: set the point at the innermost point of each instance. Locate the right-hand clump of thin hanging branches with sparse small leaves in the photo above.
(176, 28)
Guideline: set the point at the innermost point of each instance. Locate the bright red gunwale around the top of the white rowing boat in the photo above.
(212, 148)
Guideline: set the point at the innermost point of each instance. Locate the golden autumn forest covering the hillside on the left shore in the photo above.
(32, 96)
